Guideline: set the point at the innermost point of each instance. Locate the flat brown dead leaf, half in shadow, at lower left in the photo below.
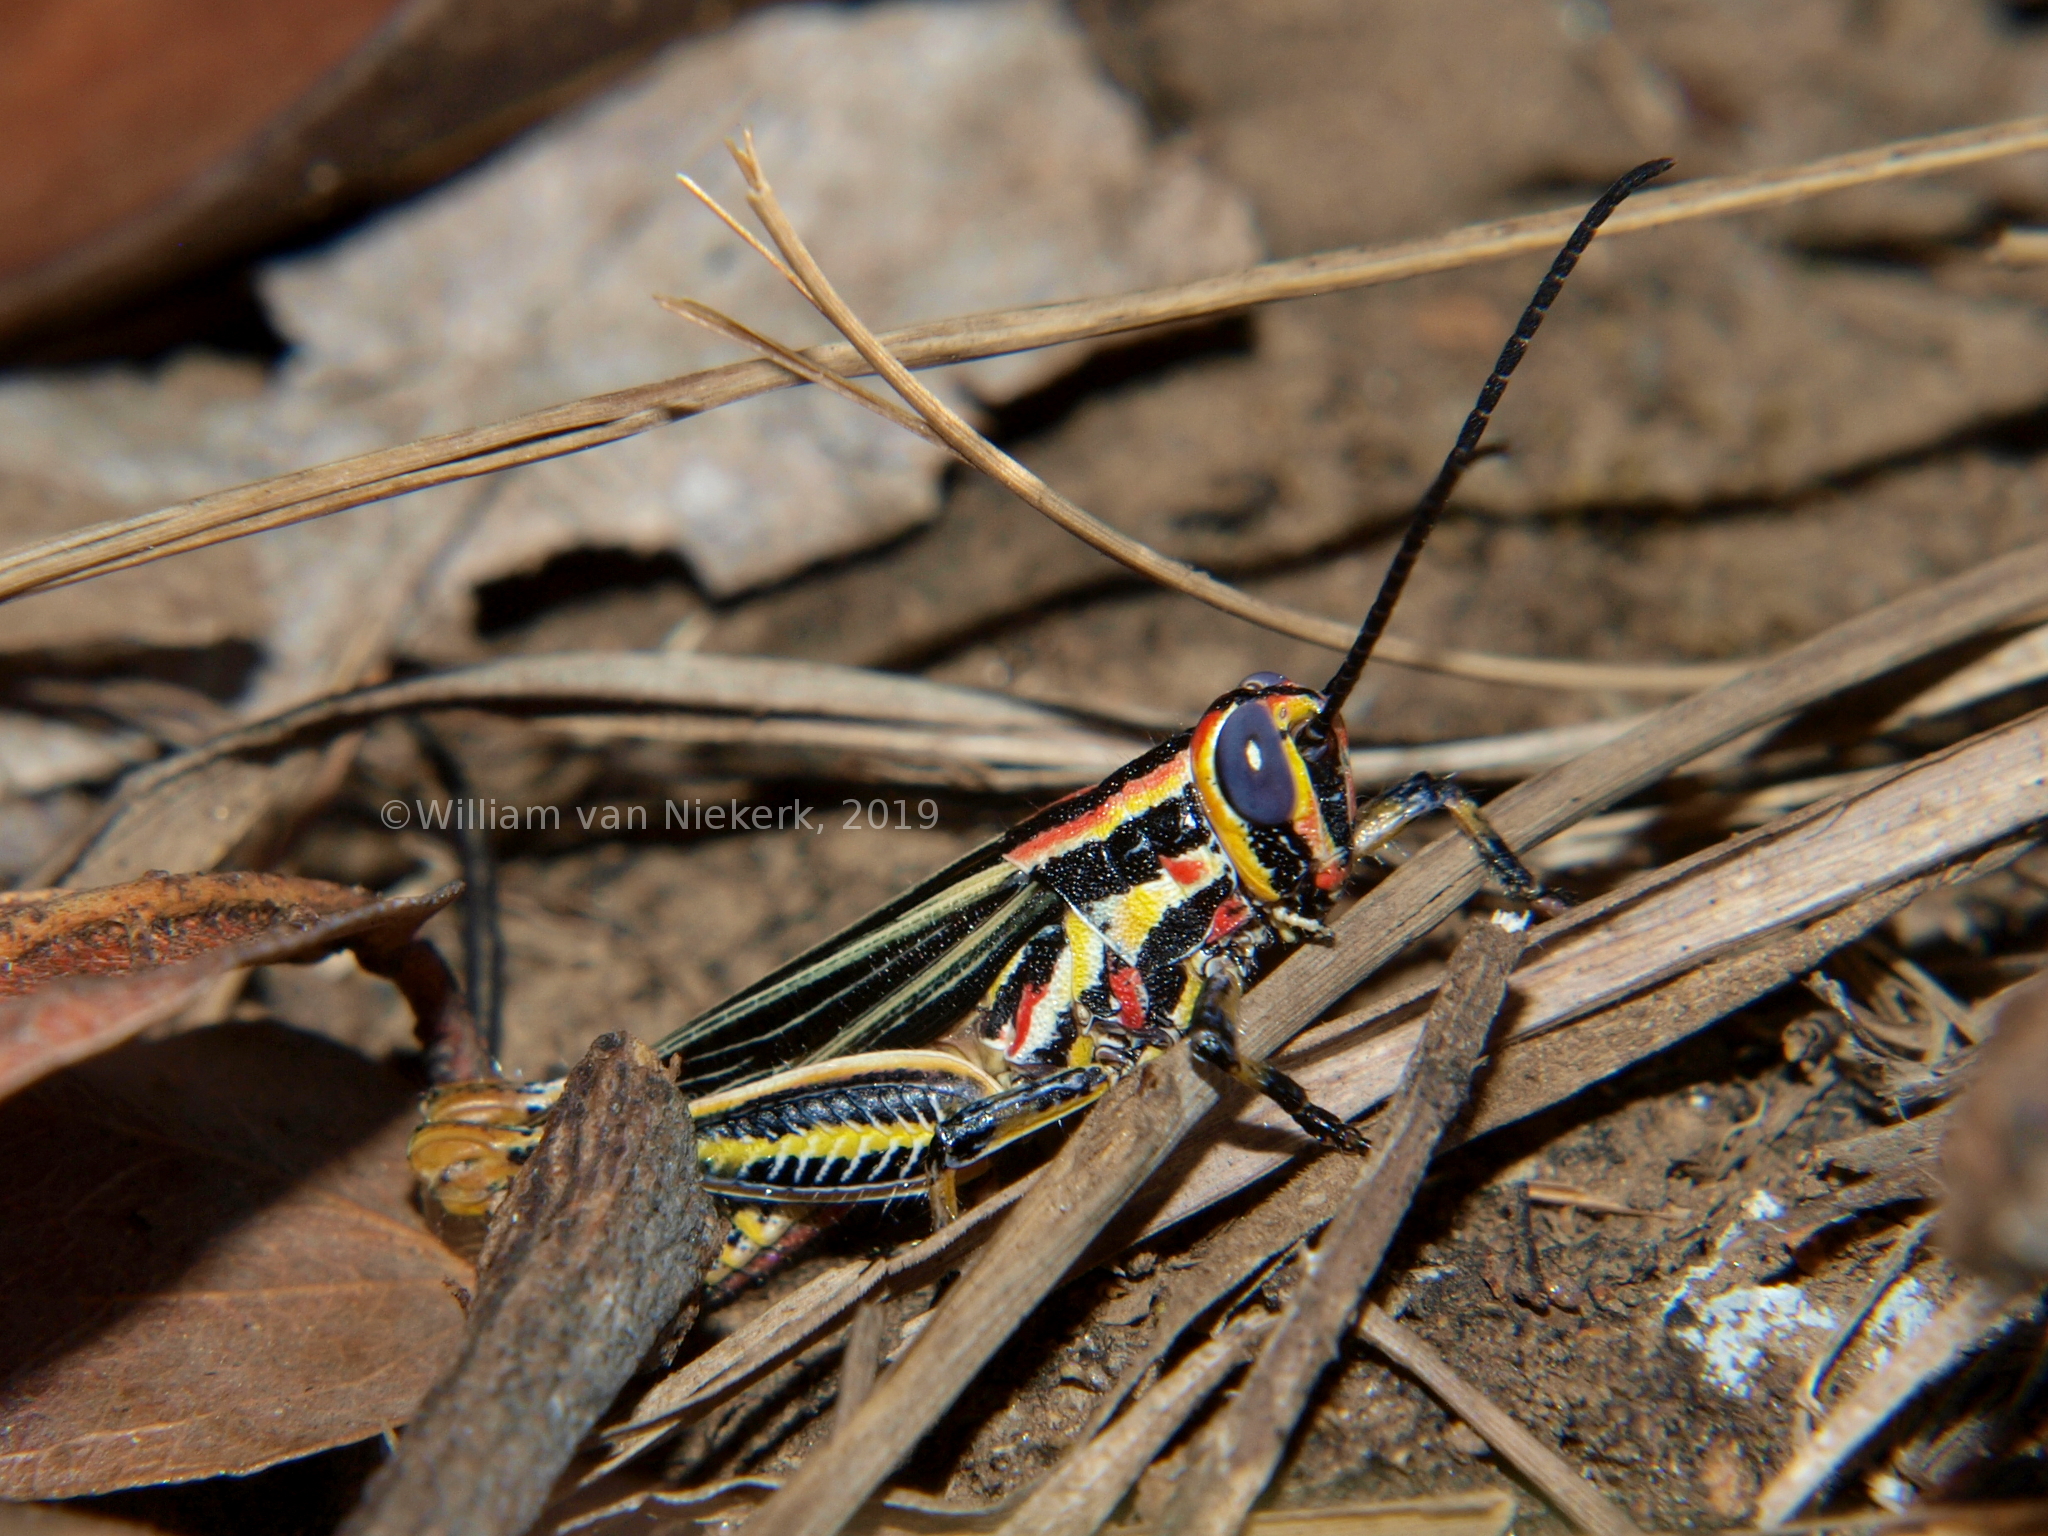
(212, 1265)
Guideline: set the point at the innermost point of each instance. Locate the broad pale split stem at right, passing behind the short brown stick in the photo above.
(1611, 957)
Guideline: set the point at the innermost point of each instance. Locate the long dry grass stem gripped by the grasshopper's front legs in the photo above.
(1144, 1117)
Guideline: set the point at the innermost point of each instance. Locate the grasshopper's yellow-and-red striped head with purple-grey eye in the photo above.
(1277, 785)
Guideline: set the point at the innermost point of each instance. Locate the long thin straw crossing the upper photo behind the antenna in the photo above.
(603, 419)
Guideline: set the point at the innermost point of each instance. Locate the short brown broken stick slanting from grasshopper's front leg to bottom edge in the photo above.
(1240, 1451)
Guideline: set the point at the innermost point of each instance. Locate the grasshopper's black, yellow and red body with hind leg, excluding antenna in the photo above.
(1070, 947)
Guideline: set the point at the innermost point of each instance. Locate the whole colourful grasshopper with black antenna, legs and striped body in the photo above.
(1089, 939)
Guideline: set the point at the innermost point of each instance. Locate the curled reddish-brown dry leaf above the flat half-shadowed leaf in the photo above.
(83, 972)
